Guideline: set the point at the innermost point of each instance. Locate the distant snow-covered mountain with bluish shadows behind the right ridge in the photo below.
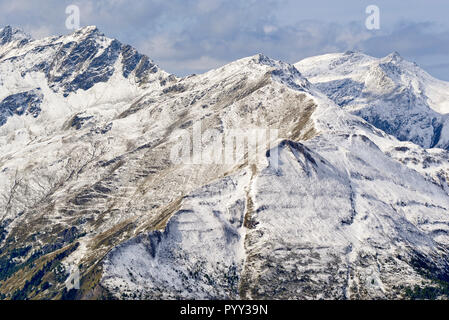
(391, 93)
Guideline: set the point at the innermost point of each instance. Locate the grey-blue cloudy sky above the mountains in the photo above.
(193, 36)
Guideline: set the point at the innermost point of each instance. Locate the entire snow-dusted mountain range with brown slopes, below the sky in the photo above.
(334, 206)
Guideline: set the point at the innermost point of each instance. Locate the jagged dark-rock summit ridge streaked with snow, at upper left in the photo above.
(78, 61)
